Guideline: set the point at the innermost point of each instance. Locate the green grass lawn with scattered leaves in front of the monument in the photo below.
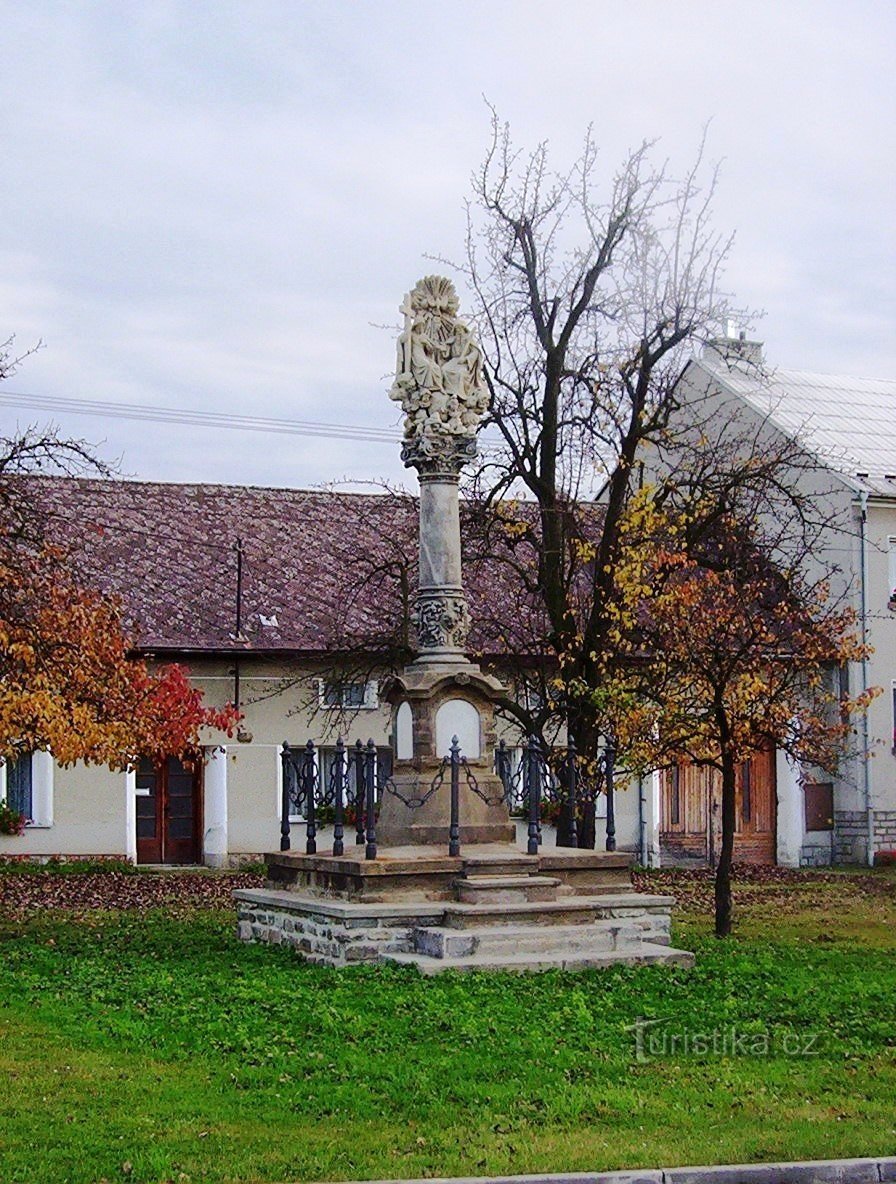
(136, 1046)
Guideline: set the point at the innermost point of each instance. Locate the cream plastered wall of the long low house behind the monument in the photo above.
(94, 809)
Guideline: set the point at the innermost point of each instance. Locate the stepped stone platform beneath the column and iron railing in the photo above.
(491, 909)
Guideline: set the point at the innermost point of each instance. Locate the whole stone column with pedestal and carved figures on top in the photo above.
(439, 383)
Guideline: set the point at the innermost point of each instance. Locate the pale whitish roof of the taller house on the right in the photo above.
(848, 423)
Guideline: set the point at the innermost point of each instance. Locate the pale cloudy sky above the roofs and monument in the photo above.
(220, 207)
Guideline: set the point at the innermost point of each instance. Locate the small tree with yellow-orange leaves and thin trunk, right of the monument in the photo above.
(726, 653)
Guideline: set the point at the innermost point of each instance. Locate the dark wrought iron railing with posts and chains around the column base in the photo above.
(356, 784)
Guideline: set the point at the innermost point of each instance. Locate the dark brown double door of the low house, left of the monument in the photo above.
(169, 813)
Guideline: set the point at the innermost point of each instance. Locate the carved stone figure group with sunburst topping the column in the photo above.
(439, 374)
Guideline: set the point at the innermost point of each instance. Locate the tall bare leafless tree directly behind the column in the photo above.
(588, 307)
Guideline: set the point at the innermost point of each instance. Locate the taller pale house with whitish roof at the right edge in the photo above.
(846, 429)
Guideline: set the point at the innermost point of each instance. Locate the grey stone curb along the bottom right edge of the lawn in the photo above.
(817, 1172)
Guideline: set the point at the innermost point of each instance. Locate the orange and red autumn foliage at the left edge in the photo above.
(69, 683)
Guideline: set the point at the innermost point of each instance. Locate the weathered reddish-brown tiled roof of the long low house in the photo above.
(319, 569)
